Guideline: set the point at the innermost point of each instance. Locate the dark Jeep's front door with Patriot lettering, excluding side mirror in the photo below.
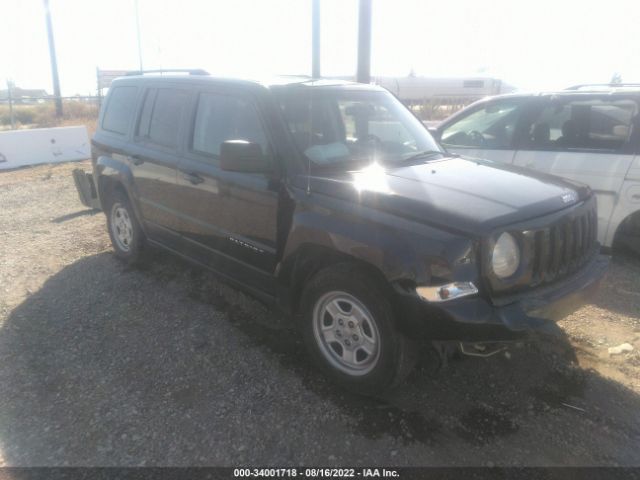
(228, 219)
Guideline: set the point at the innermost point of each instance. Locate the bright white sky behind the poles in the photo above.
(534, 45)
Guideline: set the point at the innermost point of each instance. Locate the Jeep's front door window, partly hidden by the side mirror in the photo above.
(220, 118)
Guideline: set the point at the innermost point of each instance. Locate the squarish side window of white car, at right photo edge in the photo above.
(583, 124)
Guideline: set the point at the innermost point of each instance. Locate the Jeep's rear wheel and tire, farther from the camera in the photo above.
(124, 230)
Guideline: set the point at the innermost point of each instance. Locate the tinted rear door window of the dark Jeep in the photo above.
(161, 116)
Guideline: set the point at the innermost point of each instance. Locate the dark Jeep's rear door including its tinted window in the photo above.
(154, 158)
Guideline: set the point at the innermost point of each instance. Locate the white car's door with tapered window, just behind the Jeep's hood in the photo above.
(486, 131)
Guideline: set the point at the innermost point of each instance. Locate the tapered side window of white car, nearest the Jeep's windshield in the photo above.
(491, 127)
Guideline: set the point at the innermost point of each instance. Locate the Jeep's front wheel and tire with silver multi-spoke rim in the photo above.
(349, 329)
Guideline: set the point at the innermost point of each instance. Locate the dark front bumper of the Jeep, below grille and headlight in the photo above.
(477, 318)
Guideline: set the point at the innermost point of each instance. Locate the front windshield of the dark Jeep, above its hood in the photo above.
(349, 127)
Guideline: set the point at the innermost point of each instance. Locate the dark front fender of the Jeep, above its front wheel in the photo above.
(402, 250)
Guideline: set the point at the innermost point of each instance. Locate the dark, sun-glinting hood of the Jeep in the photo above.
(471, 196)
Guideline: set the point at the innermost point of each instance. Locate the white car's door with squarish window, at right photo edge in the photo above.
(586, 138)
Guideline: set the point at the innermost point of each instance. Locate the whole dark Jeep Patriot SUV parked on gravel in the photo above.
(332, 202)
